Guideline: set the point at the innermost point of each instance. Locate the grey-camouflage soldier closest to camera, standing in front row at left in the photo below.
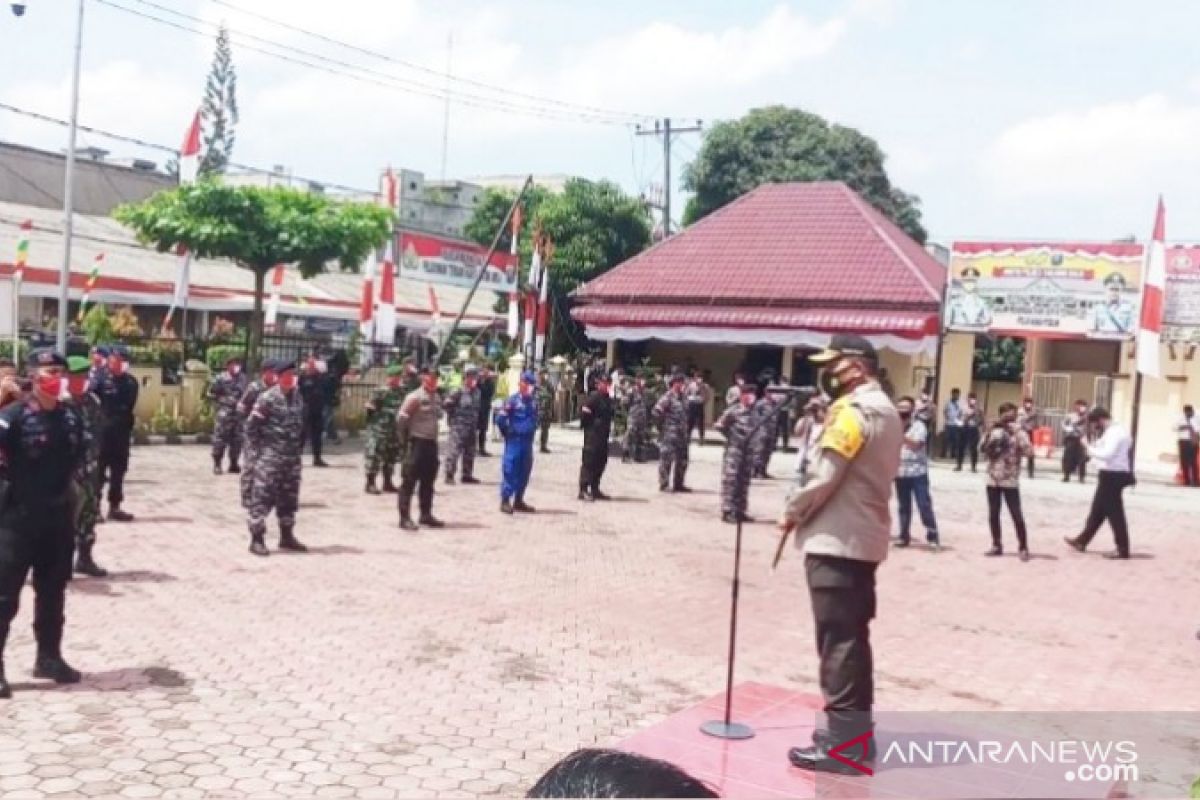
(274, 432)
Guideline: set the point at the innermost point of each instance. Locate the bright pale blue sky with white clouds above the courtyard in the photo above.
(1011, 121)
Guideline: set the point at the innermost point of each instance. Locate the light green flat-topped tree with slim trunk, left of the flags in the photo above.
(259, 228)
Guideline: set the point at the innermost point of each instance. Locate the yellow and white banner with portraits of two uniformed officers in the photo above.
(1066, 291)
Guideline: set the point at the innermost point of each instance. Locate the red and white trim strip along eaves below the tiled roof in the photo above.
(911, 323)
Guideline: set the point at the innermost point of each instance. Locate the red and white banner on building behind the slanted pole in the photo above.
(440, 260)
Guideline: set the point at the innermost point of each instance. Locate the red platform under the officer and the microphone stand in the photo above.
(758, 768)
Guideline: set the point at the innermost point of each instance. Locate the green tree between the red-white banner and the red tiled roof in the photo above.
(593, 226)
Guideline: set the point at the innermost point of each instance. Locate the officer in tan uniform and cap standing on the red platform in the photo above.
(843, 521)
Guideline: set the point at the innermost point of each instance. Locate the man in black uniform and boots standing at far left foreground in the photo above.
(43, 444)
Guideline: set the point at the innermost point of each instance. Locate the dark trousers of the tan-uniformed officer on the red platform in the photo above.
(843, 594)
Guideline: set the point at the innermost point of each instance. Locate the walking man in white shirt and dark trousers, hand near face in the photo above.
(1113, 453)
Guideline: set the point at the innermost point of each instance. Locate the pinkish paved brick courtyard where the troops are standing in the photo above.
(464, 663)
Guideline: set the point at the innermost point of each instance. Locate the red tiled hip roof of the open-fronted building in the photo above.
(784, 245)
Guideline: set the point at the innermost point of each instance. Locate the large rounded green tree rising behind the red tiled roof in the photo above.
(779, 145)
